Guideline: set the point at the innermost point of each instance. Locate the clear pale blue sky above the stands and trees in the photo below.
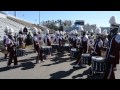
(101, 18)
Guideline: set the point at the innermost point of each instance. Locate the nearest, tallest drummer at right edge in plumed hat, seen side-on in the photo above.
(112, 53)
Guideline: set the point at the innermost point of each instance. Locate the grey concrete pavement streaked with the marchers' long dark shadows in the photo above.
(57, 66)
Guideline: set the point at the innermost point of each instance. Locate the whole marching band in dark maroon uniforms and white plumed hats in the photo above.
(90, 46)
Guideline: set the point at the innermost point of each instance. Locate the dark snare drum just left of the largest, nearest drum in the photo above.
(86, 59)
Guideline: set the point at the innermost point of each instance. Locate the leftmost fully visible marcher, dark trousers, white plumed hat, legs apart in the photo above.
(11, 48)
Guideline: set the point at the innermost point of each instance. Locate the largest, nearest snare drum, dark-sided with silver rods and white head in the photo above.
(98, 64)
